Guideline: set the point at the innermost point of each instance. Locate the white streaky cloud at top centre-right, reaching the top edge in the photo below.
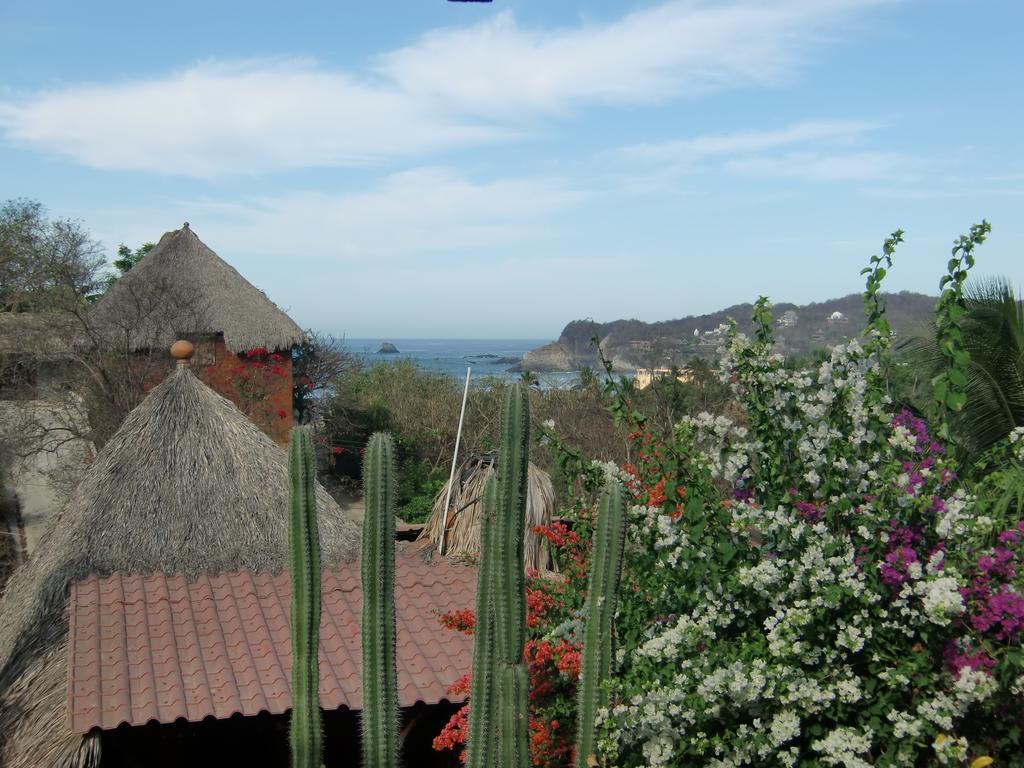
(498, 68)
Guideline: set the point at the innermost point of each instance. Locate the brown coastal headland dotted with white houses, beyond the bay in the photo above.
(799, 330)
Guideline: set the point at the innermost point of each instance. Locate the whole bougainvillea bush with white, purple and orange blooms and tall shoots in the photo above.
(814, 585)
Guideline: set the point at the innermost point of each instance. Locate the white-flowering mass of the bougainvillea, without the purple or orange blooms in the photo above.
(799, 626)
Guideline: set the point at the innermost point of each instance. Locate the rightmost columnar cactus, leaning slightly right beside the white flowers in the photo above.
(603, 595)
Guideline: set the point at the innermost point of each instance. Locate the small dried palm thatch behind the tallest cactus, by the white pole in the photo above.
(463, 536)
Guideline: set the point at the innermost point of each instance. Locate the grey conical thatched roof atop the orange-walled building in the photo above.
(182, 289)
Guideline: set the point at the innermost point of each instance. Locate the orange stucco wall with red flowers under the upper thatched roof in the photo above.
(263, 391)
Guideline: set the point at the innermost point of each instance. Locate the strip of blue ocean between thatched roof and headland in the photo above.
(452, 357)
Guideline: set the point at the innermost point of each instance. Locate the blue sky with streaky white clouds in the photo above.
(424, 168)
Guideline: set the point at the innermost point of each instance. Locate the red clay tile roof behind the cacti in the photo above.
(157, 648)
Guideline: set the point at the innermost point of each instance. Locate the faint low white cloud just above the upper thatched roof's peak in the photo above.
(423, 211)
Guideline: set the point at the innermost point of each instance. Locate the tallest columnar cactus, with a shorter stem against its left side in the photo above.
(499, 713)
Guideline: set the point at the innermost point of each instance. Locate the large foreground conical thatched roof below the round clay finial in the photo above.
(188, 485)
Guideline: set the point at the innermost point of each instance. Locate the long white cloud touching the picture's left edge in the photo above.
(234, 118)
